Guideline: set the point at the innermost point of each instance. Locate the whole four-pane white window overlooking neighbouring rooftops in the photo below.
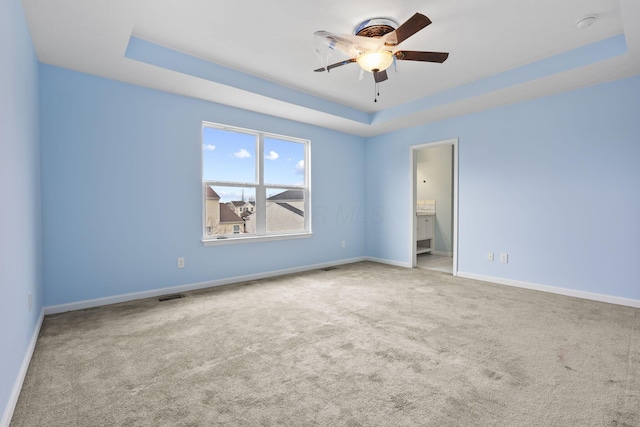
(255, 185)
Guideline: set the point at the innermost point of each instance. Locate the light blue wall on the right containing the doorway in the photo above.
(553, 182)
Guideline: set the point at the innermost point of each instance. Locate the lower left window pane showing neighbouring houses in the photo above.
(229, 210)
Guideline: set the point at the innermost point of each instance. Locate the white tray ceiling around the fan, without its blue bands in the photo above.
(274, 41)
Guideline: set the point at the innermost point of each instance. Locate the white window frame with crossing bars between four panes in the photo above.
(260, 193)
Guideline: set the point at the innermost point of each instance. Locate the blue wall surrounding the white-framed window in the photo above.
(122, 191)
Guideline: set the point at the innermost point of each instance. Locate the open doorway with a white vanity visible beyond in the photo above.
(434, 205)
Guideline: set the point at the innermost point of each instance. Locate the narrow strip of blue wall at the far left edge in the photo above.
(20, 220)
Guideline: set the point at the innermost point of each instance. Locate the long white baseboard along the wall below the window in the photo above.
(80, 305)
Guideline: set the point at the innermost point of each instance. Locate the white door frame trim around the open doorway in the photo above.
(413, 177)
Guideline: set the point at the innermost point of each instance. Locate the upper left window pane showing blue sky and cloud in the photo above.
(228, 156)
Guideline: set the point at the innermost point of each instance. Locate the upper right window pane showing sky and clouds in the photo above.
(283, 162)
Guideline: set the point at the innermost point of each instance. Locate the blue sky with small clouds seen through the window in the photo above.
(231, 157)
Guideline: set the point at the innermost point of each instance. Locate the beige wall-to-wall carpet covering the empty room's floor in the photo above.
(362, 345)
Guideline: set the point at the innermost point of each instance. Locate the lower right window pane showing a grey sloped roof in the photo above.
(285, 210)
